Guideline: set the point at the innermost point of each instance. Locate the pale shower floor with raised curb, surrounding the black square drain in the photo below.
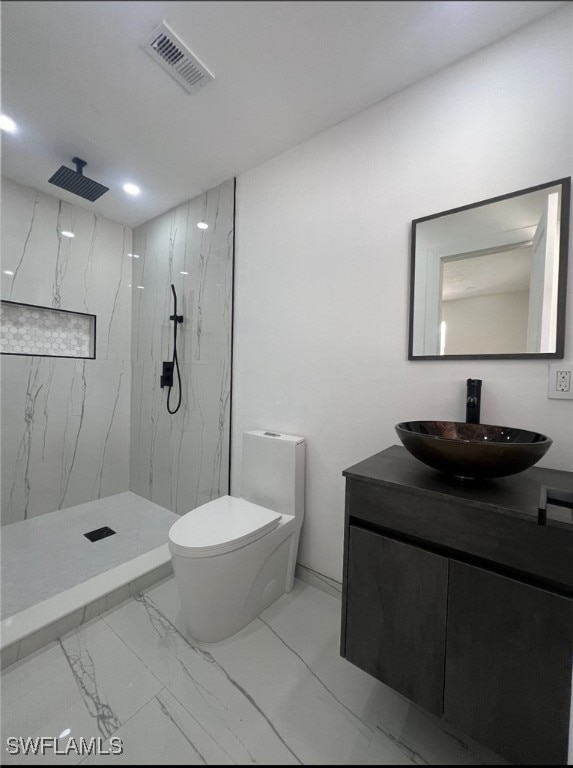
(54, 578)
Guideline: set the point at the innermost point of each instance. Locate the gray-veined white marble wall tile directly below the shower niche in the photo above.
(65, 433)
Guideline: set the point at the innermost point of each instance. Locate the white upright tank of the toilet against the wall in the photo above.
(273, 471)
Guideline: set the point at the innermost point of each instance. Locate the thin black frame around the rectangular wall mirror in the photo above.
(565, 184)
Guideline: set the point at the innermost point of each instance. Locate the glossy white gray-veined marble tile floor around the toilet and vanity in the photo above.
(275, 693)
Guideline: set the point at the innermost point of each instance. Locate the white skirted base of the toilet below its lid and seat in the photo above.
(220, 595)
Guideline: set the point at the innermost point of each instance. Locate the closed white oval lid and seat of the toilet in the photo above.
(220, 526)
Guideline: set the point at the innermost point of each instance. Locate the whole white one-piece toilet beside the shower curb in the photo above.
(233, 557)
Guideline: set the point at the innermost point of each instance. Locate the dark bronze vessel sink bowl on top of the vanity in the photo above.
(472, 451)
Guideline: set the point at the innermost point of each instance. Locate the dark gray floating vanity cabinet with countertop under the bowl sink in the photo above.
(457, 597)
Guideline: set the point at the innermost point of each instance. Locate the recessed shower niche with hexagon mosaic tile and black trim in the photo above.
(28, 329)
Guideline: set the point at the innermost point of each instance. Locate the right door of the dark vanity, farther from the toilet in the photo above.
(508, 665)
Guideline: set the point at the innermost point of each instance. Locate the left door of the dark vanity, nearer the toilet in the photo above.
(396, 615)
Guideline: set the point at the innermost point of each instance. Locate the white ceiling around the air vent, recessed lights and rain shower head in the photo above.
(77, 83)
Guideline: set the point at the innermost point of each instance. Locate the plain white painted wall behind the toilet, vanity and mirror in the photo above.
(322, 261)
